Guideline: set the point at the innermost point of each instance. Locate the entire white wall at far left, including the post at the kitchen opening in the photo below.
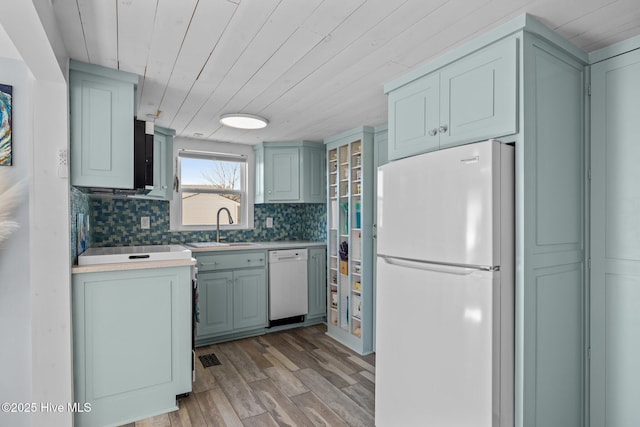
(35, 302)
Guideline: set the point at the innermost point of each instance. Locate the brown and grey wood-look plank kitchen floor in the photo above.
(298, 377)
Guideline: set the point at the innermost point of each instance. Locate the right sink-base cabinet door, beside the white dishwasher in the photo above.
(249, 298)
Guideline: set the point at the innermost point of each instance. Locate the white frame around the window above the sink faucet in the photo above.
(216, 150)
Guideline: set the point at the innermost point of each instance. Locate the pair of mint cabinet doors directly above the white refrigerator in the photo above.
(468, 100)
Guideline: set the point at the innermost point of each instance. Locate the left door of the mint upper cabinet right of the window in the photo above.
(282, 174)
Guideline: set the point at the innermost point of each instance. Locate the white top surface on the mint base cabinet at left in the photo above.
(117, 254)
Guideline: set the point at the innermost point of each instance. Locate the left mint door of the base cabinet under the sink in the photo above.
(215, 303)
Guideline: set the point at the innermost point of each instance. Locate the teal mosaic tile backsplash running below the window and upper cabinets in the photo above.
(116, 222)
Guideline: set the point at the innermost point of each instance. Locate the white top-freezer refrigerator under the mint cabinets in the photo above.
(445, 288)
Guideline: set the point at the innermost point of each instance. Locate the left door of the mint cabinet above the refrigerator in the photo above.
(414, 117)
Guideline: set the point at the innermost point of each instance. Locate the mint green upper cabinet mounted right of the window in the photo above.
(289, 172)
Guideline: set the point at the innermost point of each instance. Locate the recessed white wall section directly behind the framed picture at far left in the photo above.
(15, 311)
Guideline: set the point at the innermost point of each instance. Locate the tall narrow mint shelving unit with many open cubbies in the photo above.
(350, 198)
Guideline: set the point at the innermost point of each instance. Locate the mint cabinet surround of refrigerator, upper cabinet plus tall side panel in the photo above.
(524, 84)
